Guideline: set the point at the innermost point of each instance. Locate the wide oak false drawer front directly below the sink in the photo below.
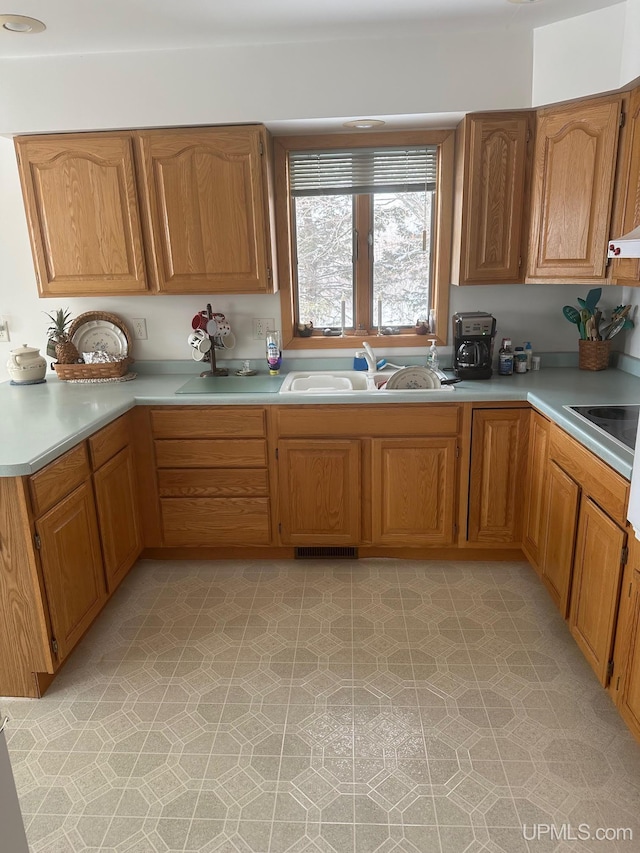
(357, 421)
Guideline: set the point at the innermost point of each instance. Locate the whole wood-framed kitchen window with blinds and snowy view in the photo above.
(364, 226)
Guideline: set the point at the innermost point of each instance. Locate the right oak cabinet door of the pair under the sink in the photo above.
(414, 491)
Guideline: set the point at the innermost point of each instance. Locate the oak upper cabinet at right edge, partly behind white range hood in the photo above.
(626, 206)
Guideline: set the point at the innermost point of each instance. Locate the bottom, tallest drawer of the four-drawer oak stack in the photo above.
(195, 522)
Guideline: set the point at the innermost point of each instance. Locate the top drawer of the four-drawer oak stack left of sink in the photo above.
(208, 422)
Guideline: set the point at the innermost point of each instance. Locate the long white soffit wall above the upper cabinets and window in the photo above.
(452, 72)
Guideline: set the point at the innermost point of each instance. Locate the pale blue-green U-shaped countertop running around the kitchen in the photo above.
(40, 422)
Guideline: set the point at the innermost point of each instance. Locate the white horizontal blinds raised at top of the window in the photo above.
(363, 170)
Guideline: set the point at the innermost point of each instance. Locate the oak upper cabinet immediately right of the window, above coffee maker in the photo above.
(491, 169)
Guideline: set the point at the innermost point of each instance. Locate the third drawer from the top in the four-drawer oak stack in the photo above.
(220, 482)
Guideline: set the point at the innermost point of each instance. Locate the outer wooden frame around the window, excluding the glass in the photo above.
(442, 238)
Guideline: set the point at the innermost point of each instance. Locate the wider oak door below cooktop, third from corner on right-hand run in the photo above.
(595, 590)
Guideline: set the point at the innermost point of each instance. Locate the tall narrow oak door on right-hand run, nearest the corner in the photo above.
(534, 498)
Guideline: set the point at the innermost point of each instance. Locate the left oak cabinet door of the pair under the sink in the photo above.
(320, 492)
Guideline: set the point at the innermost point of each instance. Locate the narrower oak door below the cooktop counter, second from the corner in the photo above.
(562, 503)
